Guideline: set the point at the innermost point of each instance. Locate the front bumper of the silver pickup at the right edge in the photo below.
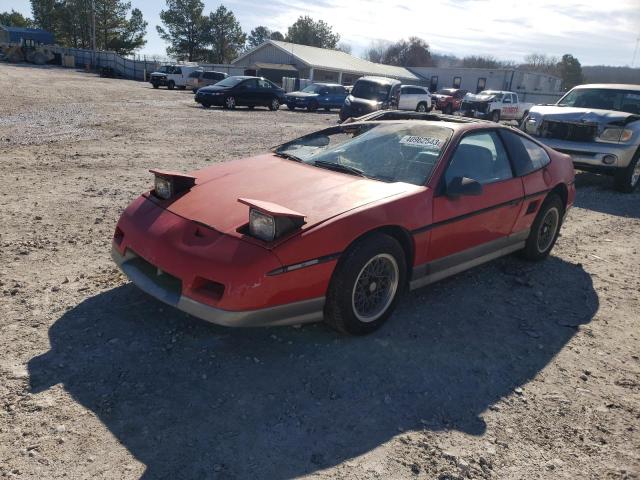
(591, 155)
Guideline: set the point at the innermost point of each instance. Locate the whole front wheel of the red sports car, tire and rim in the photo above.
(366, 285)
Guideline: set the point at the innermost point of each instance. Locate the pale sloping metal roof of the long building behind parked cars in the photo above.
(335, 60)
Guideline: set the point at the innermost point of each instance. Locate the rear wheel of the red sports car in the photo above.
(543, 234)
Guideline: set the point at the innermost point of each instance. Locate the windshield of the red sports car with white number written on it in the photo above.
(391, 152)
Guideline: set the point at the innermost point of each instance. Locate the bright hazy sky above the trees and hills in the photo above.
(596, 32)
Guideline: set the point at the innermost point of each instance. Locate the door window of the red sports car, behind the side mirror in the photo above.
(482, 157)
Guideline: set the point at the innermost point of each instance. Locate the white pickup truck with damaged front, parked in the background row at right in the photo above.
(494, 105)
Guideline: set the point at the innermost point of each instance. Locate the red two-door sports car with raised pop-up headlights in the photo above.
(336, 224)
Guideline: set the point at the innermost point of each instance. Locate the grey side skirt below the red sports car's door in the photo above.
(458, 262)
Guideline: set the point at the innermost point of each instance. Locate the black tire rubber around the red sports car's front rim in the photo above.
(338, 307)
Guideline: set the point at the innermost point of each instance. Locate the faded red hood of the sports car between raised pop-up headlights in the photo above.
(317, 193)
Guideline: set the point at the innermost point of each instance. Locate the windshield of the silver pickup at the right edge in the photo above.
(604, 99)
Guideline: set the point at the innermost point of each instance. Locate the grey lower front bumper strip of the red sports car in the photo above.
(305, 311)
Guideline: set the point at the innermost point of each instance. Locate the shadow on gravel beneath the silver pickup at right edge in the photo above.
(596, 192)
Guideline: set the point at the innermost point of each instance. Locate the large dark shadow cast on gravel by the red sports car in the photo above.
(191, 400)
